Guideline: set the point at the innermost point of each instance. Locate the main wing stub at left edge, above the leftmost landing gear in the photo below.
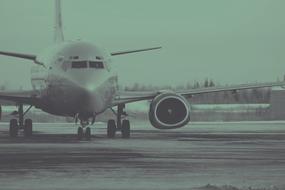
(23, 97)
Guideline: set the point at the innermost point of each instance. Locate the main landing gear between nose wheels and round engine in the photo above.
(121, 125)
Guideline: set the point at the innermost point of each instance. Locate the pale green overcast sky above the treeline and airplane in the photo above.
(229, 41)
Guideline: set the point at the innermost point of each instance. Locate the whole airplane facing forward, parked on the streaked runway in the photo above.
(75, 79)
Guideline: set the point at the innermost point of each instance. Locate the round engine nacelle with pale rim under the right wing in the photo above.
(169, 111)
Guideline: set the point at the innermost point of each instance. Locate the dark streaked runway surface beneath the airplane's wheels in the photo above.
(237, 154)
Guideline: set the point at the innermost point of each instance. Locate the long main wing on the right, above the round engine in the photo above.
(129, 97)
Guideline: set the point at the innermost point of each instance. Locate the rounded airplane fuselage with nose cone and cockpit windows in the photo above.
(76, 79)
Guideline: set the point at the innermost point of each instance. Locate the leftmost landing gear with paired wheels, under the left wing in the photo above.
(21, 124)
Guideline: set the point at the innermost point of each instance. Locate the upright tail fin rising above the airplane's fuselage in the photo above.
(58, 33)
